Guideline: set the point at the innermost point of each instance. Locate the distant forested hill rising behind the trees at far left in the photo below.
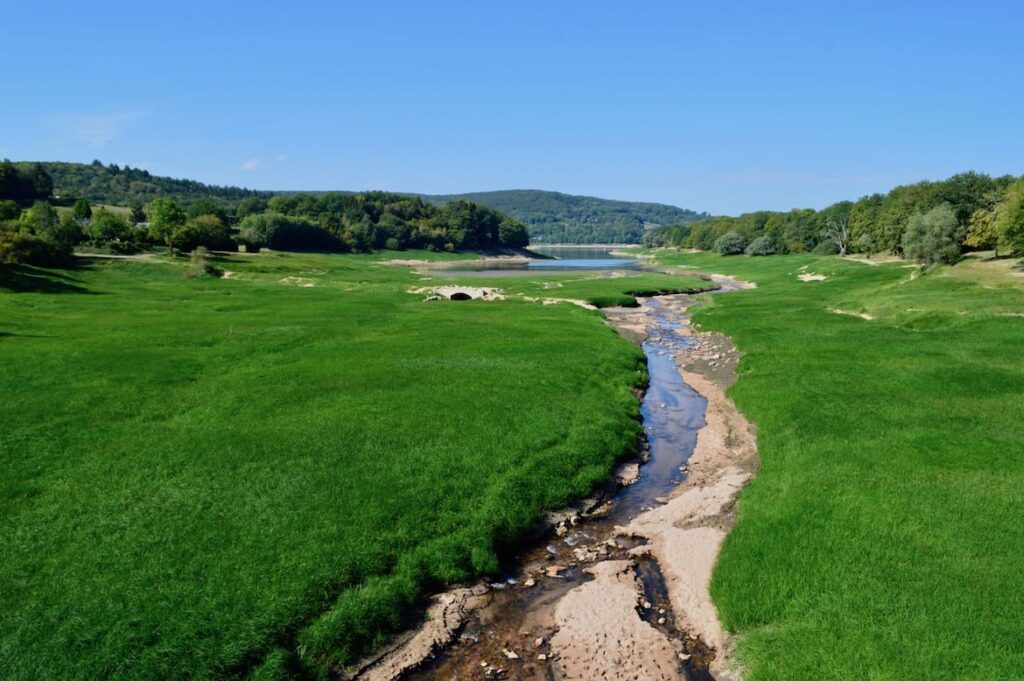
(124, 186)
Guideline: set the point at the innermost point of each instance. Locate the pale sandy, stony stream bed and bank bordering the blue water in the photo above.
(615, 595)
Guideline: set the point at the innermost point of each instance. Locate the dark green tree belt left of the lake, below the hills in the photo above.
(34, 232)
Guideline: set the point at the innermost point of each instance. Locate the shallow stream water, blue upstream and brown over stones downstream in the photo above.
(521, 607)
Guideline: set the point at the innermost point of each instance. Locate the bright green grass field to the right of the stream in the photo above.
(882, 538)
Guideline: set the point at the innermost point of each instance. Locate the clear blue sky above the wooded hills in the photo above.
(726, 107)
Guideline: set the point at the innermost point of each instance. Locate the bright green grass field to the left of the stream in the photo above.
(210, 478)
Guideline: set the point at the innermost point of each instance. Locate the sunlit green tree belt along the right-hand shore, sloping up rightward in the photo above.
(930, 222)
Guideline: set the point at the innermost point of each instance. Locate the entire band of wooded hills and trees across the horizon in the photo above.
(929, 222)
